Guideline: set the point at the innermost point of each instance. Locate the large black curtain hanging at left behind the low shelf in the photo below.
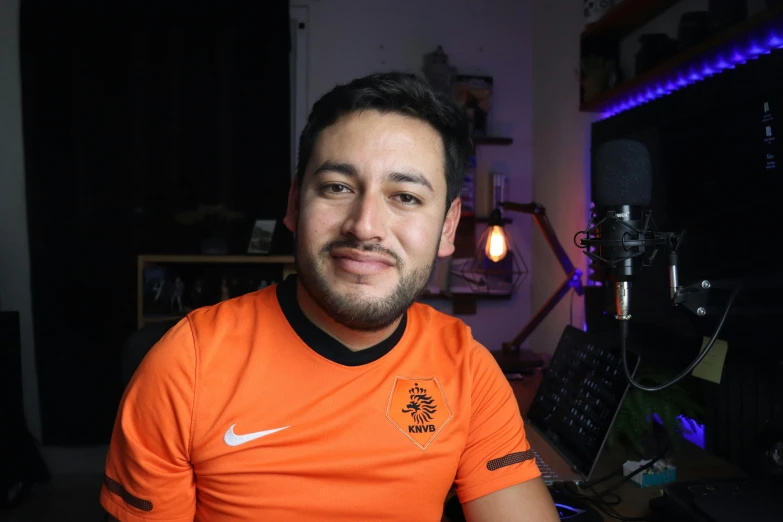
(132, 112)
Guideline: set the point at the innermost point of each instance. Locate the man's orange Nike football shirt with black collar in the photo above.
(232, 416)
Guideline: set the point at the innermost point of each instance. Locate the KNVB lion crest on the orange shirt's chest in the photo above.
(418, 408)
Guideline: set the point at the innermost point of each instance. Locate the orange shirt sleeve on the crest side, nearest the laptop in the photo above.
(497, 454)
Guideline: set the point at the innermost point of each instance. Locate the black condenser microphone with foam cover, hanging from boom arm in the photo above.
(623, 237)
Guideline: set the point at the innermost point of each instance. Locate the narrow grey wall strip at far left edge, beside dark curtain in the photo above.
(14, 254)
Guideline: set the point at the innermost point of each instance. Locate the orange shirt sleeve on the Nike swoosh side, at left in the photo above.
(148, 475)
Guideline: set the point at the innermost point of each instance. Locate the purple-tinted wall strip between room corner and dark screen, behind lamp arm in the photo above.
(560, 156)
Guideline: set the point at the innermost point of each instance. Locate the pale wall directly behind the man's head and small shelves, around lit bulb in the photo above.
(351, 38)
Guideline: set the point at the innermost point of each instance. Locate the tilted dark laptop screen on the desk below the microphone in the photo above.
(575, 406)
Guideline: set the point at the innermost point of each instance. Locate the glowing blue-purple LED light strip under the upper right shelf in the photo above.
(750, 46)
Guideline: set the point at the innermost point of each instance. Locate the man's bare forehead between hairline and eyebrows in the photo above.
(377, 144)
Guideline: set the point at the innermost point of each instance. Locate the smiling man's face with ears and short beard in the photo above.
(369, 217)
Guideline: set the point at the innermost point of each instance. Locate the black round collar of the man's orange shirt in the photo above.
(321, 342)
